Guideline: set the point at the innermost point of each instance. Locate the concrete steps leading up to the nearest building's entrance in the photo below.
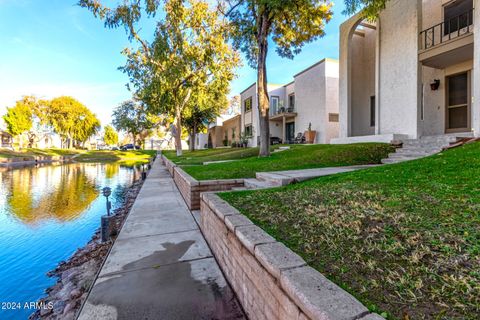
(423, 147)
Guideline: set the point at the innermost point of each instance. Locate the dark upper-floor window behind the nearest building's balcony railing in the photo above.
(457, 15)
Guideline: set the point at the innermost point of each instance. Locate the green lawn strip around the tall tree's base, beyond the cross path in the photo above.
(298, 157)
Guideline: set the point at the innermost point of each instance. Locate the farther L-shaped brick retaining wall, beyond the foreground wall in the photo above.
(191, 188)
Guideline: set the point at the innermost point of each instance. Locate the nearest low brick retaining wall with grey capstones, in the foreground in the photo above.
(270, 280)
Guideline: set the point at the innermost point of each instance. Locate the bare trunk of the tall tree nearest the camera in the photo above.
(263, 100)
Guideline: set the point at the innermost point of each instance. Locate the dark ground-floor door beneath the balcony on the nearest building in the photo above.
(458, 103)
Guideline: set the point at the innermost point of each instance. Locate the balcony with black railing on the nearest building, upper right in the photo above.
(447, 43)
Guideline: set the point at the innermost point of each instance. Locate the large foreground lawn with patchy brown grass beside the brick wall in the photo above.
(404, 238)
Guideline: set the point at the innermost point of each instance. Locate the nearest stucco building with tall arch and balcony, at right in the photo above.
(411, 73)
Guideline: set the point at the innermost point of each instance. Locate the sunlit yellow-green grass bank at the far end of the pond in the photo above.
(130, 156)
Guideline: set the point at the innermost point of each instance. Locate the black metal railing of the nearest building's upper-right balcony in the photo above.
(447, 30)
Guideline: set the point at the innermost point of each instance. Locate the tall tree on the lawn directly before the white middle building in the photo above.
(289, 24)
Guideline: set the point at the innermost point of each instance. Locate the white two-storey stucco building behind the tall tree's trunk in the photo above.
(311, 98)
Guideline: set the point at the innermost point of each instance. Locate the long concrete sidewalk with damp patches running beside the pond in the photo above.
(160, 266)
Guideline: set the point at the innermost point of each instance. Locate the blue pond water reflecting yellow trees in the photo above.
(46, 213)
